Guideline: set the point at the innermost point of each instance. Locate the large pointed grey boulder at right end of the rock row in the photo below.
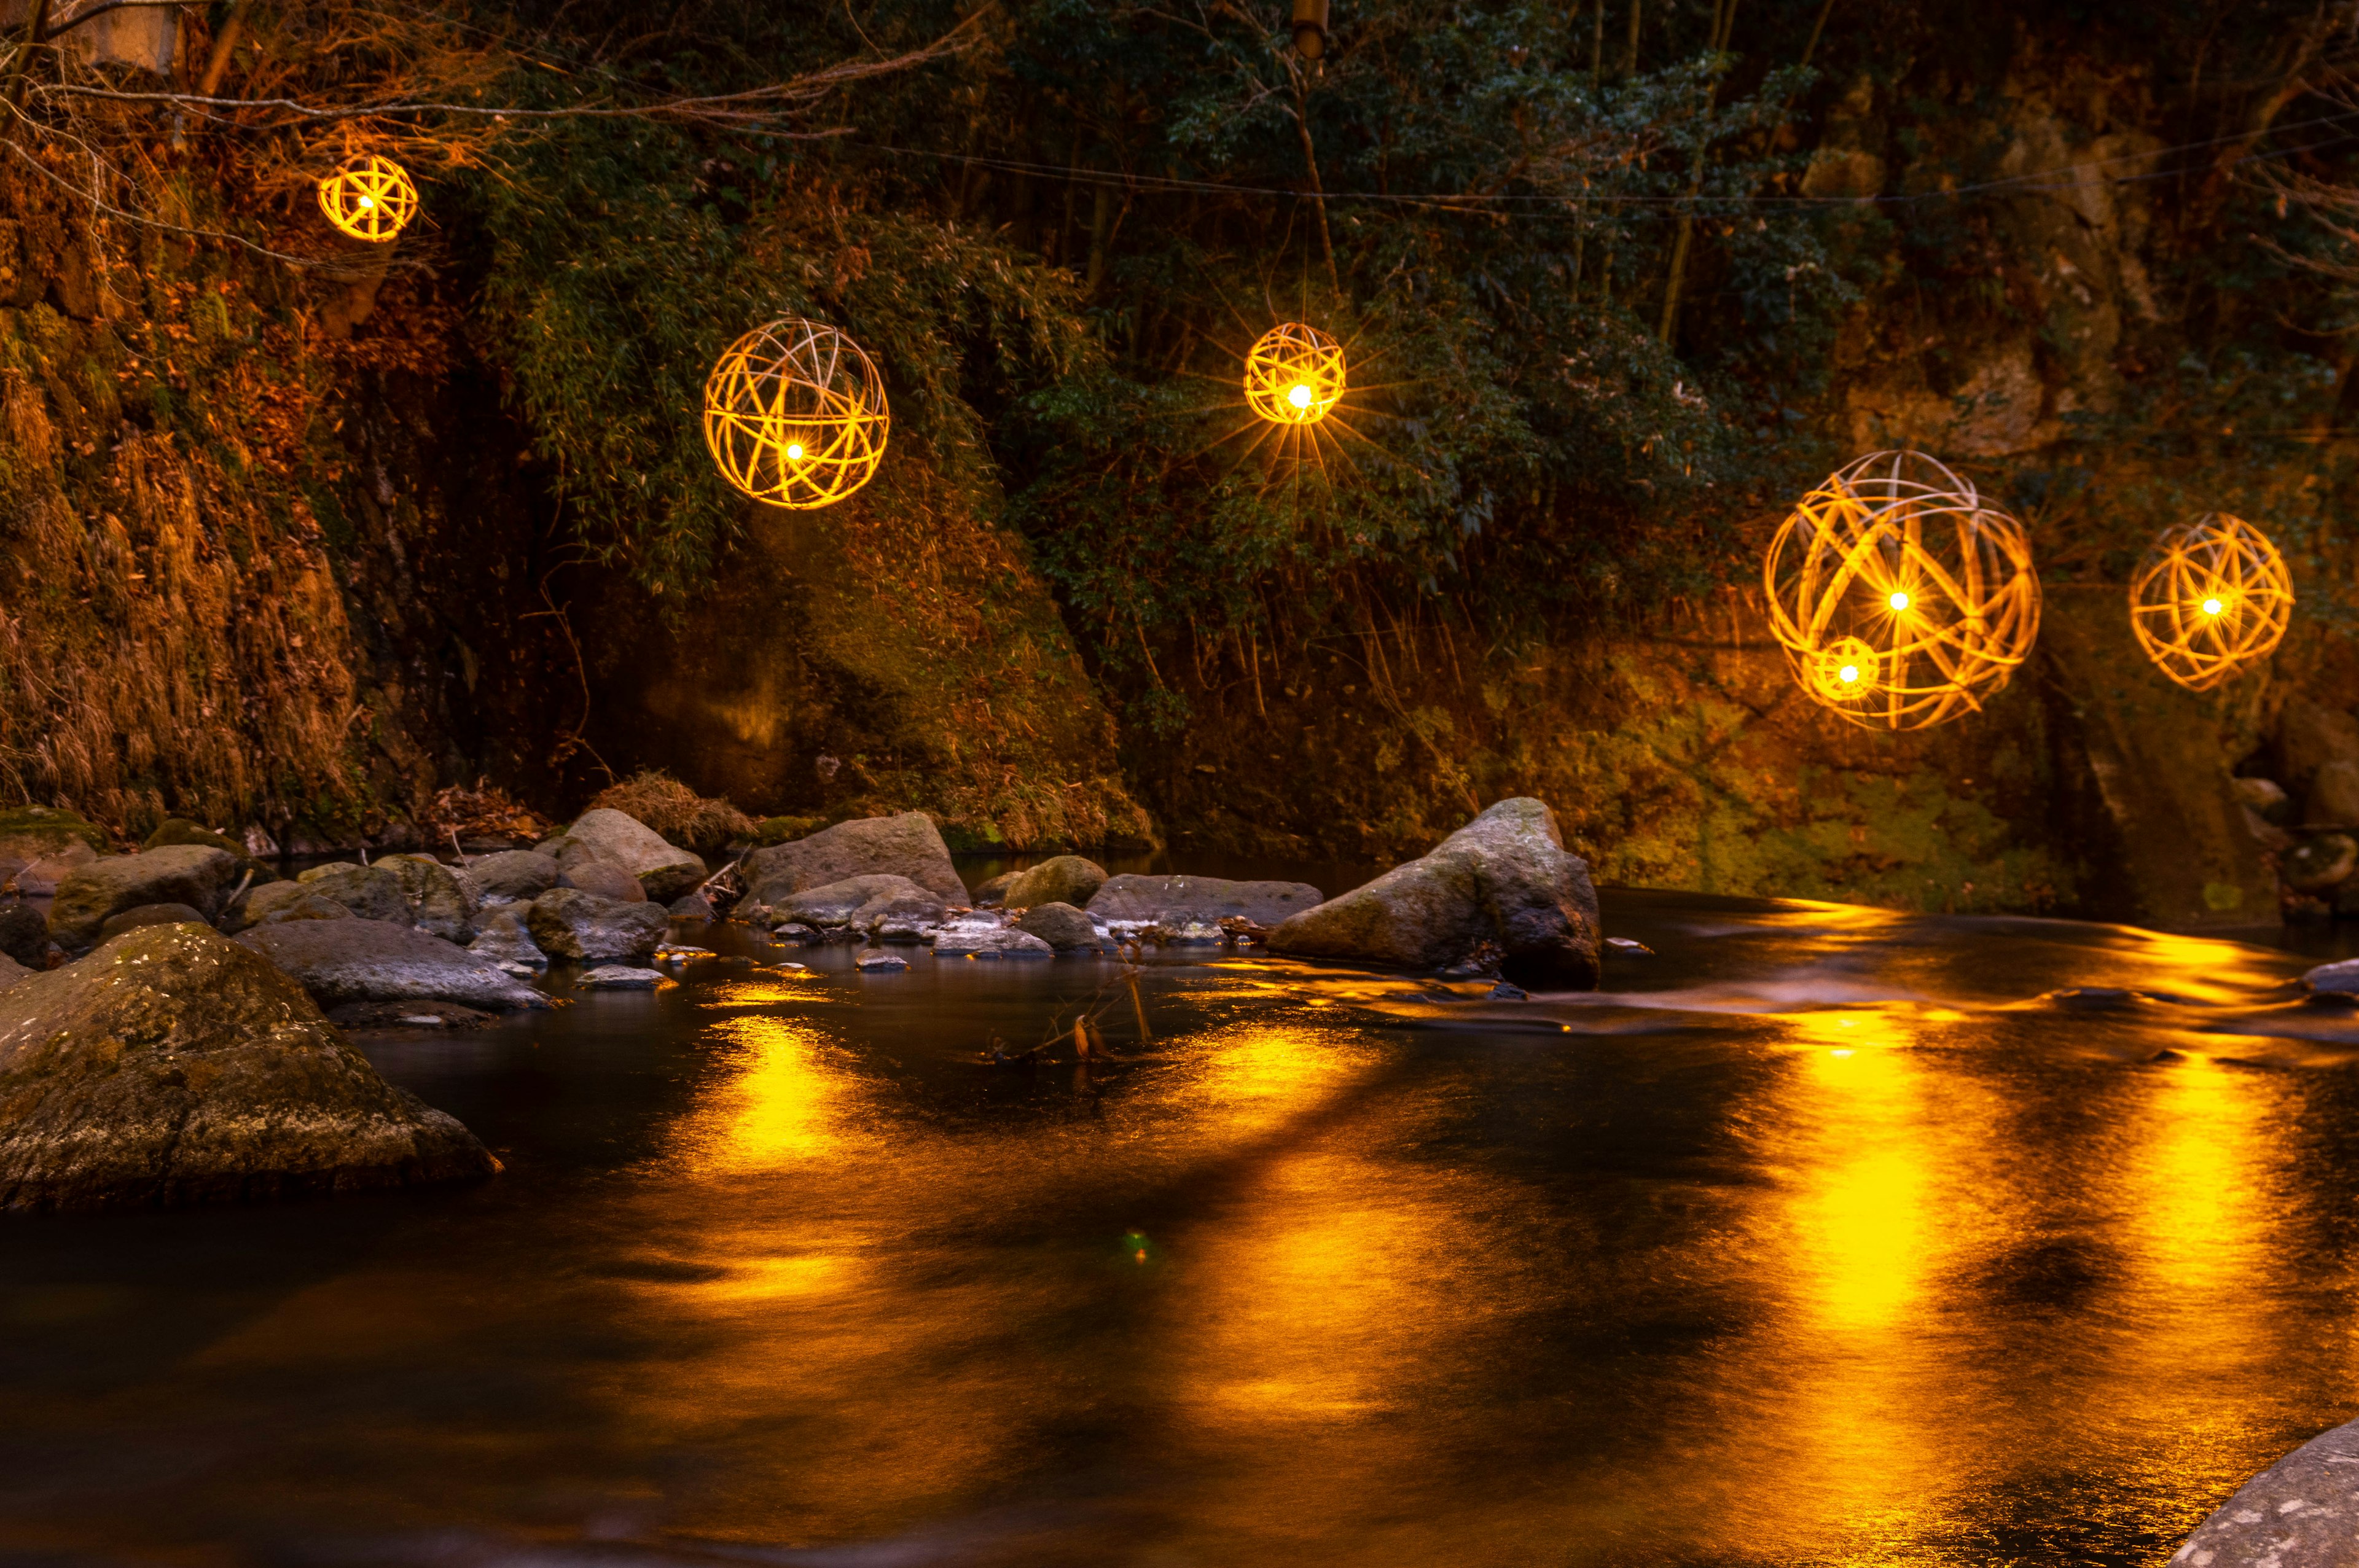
(1502, 881)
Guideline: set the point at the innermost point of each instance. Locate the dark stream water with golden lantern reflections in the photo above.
(1822, 1237)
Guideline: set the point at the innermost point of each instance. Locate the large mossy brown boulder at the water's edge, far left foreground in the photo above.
(178, 1067)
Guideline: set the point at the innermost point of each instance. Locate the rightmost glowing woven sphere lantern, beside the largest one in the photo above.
(2209, 598)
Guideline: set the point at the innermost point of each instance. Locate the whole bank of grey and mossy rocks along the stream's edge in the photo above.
(171, 1017)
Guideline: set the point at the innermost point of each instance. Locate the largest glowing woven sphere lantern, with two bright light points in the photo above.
(1900, 595)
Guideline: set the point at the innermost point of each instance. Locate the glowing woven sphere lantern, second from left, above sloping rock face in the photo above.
(796, 416)
